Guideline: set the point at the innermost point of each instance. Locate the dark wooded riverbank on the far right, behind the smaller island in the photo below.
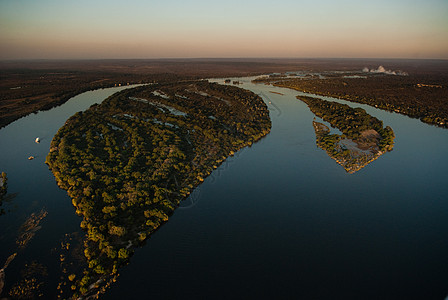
(422, 97)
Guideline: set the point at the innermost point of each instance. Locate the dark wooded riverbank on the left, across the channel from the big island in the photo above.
(27, 91)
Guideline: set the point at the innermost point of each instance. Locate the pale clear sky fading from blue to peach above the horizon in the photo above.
(108, 29)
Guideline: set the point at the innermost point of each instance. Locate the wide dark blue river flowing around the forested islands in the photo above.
(279, 220)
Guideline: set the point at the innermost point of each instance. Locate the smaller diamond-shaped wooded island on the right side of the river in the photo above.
(363, 137)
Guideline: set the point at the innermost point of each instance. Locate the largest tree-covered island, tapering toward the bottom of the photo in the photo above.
(128, 162)
